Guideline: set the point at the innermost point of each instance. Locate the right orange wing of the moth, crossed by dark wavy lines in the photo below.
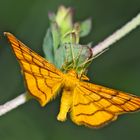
(95, 106)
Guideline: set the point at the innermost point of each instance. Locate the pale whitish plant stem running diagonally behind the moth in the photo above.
(23, 98)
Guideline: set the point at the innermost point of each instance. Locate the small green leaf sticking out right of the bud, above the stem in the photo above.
(85, 27)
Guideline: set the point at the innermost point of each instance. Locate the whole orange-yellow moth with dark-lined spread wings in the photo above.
(89, 104)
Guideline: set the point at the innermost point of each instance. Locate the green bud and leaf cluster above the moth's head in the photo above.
(61, 42)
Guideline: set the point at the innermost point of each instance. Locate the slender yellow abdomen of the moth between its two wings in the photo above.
(66, 102)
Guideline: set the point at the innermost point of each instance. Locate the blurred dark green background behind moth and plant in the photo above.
(118, 68)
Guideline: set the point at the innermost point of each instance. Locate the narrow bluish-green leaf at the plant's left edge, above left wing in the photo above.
(48, 46)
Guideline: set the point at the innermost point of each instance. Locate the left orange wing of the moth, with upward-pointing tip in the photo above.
(42, 79)
